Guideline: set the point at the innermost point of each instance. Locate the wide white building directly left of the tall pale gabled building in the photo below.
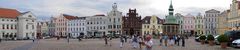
(96, 25)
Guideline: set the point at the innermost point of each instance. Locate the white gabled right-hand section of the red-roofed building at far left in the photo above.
(27, 26)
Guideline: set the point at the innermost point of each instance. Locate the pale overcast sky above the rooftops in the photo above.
(48, 8)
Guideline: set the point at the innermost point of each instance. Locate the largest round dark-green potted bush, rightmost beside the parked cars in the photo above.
(223, 39)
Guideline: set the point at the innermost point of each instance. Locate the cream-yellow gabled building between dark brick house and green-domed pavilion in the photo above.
(152, 25)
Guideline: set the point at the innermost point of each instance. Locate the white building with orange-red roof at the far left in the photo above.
(16, 25)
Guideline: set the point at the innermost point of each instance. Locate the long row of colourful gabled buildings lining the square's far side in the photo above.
(211, 22)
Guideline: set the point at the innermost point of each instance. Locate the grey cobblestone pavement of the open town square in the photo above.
(97, 44)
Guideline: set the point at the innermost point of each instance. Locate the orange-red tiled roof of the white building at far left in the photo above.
(8, 13)
